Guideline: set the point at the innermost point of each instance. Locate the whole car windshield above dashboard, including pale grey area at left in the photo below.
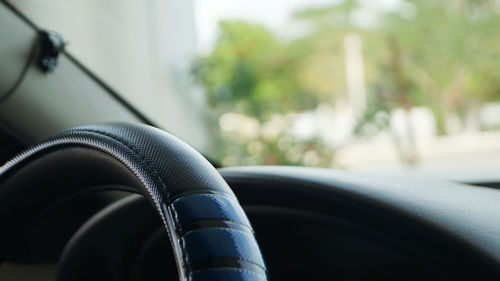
(336, 84)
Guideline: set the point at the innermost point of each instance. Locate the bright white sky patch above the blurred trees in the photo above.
(274, 14)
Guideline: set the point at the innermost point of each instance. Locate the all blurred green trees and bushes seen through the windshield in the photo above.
(444, 55)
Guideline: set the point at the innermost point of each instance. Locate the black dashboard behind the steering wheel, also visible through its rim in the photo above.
(311, 224)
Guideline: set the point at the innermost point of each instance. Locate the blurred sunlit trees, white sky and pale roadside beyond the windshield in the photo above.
(353, 84)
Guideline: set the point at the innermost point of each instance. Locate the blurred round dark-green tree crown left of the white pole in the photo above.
(250, 72)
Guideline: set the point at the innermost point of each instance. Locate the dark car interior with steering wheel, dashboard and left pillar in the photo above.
(92, 188)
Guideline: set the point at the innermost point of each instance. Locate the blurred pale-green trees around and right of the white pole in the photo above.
(446, 51)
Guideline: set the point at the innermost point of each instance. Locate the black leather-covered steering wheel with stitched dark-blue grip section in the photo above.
(209, 232)
